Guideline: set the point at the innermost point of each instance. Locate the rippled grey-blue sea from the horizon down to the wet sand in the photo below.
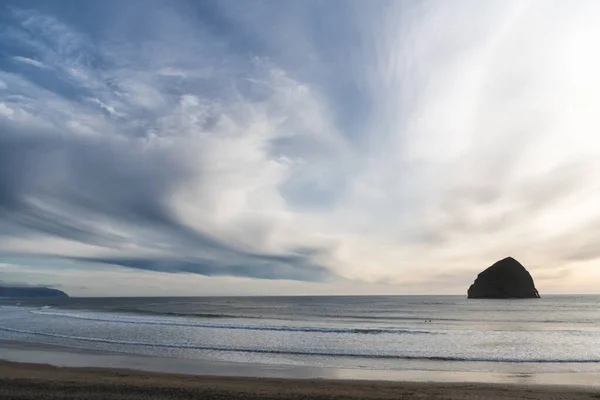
(449, 333)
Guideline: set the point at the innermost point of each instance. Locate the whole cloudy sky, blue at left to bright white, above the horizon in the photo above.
(298, 147)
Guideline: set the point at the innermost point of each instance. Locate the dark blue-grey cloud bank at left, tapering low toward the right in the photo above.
(67, 189)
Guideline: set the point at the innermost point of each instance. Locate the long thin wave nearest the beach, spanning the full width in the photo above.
(308, 353)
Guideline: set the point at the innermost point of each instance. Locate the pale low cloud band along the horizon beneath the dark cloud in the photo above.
(96, 280)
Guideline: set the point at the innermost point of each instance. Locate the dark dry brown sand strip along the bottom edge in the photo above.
(43, 382)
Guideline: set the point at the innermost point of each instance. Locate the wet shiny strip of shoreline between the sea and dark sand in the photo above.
(70, 357)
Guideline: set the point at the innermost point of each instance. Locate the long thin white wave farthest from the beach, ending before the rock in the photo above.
(198, 324)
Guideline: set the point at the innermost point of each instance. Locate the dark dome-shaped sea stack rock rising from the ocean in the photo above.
(506, 279)
